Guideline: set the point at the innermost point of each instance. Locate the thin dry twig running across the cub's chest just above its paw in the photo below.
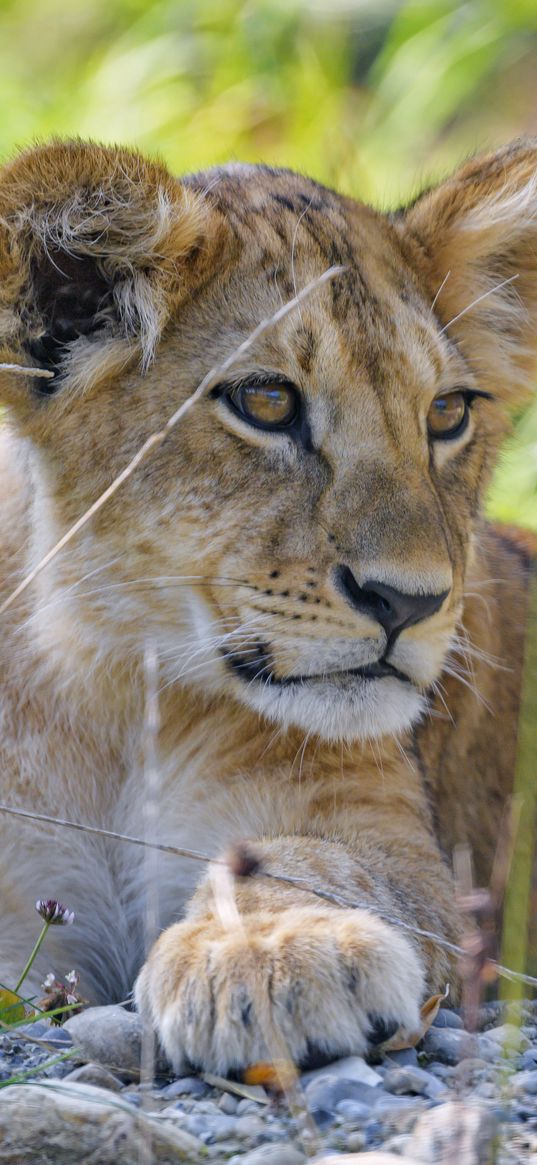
(298, 884)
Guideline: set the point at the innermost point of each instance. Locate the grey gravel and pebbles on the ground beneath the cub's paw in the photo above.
(355, 1106)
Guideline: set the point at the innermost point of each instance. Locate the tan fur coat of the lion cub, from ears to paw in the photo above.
(227, 542)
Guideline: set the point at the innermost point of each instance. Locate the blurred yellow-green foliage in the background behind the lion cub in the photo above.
(375, 97)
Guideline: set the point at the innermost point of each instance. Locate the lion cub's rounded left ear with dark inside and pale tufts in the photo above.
(96, 249)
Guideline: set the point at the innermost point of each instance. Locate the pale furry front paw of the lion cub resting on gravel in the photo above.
(331, 983)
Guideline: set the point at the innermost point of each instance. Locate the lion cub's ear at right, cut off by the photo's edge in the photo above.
(475, 241)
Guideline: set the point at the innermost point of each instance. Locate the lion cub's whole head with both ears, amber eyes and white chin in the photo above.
(301, 539)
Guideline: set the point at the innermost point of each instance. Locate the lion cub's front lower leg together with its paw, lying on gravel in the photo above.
(331, 982)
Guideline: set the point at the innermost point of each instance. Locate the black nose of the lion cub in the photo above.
(392, 609)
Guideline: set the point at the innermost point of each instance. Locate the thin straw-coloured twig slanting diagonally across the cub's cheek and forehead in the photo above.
(160, 436)
